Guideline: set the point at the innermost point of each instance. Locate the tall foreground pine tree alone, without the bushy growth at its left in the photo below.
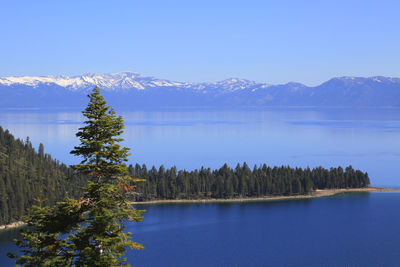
(102, 241)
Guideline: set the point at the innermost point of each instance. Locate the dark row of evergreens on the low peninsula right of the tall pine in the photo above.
(241, 182)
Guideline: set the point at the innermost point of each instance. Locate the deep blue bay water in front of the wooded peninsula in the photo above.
(359, 229)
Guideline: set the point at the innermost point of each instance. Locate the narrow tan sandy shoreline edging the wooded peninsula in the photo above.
(318, 193)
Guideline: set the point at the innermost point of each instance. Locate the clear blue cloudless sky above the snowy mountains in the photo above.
(268, 41)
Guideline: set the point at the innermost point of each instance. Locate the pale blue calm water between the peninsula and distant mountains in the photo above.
(364, 138)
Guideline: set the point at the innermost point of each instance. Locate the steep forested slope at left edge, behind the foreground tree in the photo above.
(26, 175)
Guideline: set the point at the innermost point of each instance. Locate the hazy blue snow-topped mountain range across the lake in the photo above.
(129, 89)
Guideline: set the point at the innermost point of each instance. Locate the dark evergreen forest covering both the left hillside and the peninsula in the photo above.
(27, 175)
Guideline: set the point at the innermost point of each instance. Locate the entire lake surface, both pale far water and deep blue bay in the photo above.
(354, 230)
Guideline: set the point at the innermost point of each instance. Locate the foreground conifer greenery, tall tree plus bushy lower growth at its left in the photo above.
(89, 231)
